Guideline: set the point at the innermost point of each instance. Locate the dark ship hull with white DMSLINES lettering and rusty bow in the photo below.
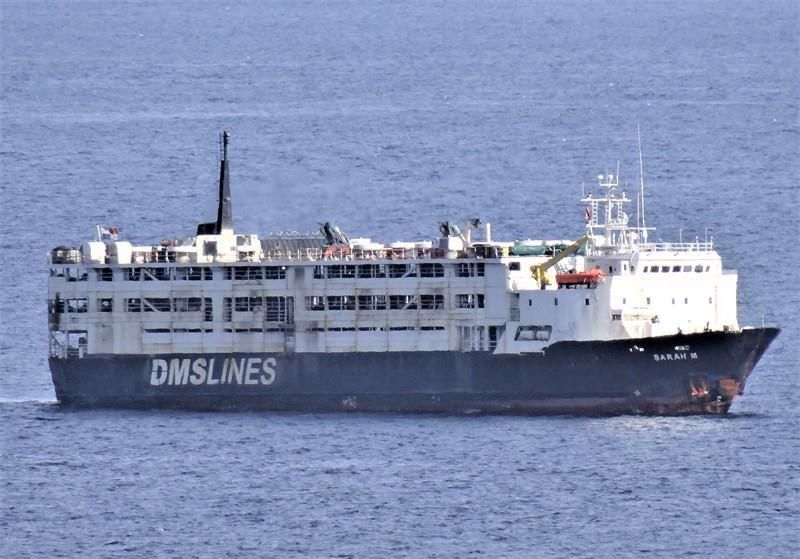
(673, 375)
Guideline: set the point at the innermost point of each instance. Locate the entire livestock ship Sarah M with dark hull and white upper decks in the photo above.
(606, 324)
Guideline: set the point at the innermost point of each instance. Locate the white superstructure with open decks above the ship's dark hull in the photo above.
(225, 292)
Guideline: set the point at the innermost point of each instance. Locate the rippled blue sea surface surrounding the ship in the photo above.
(387, 117)
